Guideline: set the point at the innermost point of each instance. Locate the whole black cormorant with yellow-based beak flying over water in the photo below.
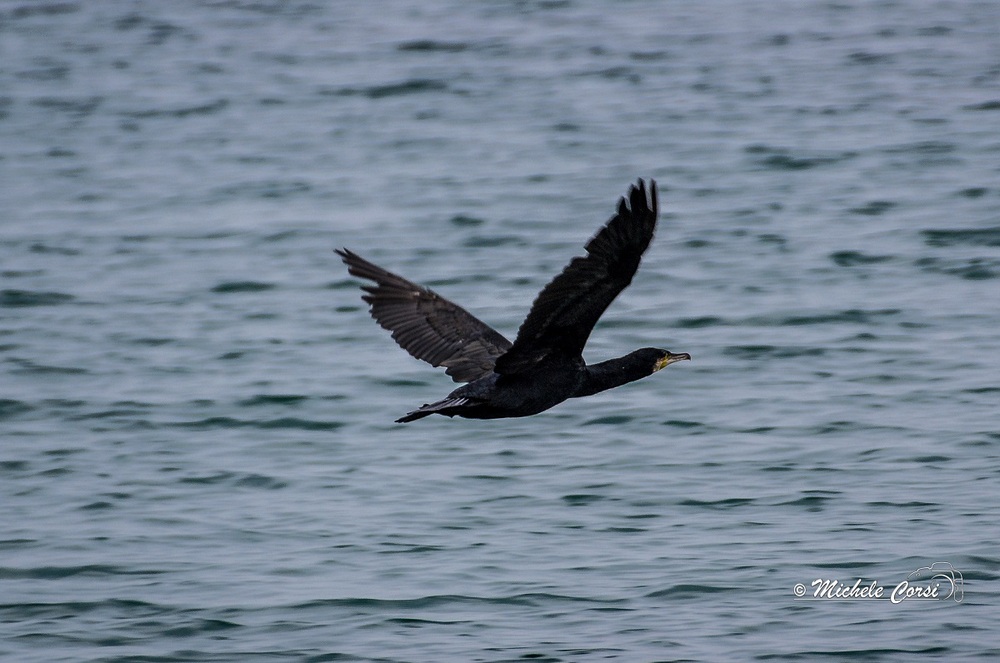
(544, 366)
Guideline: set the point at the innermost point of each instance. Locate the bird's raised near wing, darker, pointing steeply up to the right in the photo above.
(566, 310)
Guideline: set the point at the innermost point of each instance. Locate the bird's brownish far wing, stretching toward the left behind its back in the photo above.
(426, 325)
